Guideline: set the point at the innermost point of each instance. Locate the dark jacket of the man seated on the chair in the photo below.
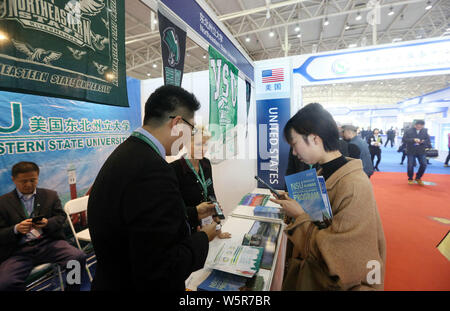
(46, 203)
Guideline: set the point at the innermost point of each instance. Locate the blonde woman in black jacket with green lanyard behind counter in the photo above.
(194, 175)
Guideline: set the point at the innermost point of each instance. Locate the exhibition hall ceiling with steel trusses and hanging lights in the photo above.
(262, 28)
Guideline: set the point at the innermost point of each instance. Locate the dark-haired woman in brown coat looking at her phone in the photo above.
(350, 253)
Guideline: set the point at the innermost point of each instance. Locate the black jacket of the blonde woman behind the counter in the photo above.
(190, 188)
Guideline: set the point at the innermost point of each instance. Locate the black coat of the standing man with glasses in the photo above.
(138, 224)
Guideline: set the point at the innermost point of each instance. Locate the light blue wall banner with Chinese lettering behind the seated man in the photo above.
(69, 140)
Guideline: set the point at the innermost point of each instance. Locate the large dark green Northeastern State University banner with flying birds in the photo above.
(72, 49)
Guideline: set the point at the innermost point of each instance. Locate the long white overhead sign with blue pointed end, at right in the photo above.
(419, 58)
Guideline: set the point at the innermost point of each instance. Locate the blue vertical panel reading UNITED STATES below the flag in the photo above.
(273, 151)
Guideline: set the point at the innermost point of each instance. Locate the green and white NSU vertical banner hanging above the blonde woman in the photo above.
(223, 96)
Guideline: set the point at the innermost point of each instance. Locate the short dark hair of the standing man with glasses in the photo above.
(167, 99)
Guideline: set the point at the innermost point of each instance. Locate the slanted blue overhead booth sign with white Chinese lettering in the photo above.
(193, 15)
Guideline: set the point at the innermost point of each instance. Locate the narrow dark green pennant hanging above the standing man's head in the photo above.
(173, 48)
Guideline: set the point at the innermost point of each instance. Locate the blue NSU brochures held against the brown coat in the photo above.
(310, 192)
